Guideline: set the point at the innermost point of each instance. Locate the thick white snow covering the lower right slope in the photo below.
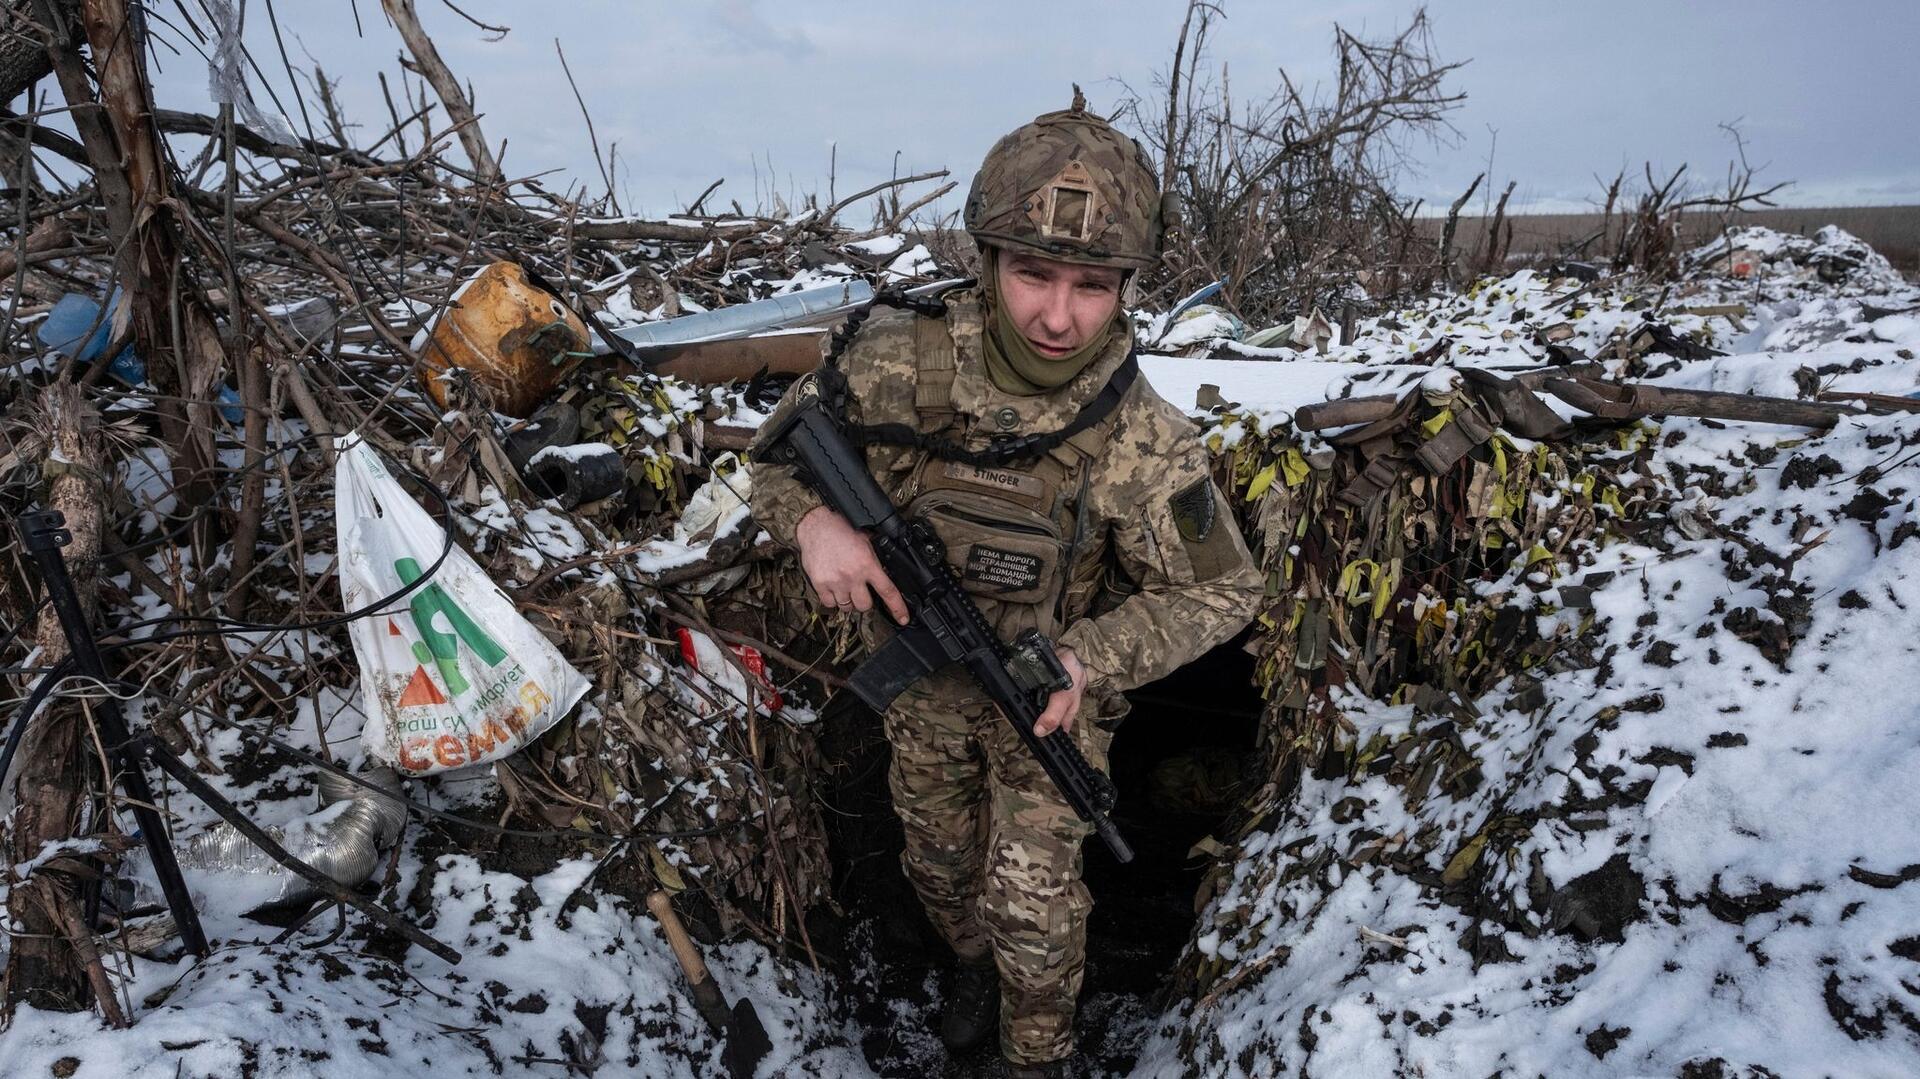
(1796, 805)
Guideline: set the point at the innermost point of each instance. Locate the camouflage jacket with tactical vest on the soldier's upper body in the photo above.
(1116, 542)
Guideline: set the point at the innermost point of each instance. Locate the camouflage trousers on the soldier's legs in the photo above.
(996, 855)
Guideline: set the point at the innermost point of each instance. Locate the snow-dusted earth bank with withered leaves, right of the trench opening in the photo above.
(1554, 731)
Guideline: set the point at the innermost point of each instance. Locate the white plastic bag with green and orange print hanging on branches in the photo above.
(452, 675)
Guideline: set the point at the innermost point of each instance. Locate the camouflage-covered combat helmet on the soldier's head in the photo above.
(1068, 187)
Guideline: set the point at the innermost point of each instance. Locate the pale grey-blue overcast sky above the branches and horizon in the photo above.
(698, 91)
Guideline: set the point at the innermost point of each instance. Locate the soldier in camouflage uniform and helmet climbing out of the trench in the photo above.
(1107, 537)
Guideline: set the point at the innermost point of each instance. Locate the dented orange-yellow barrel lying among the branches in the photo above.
(508, 335)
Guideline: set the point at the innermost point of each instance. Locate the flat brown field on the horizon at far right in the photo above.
(1892, 229)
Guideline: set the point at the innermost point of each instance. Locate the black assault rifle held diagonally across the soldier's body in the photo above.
(946, 625)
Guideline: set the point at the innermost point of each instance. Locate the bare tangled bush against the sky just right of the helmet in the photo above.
(1291, 199)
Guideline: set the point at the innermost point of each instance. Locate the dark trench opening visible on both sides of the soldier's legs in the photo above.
(1180, 763)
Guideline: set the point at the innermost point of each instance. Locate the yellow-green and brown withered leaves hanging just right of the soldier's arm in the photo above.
(1426, 594)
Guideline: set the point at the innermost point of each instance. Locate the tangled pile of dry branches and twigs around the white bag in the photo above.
(316, 266)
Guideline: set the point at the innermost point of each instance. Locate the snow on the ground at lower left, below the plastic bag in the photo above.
(619, 1001)
